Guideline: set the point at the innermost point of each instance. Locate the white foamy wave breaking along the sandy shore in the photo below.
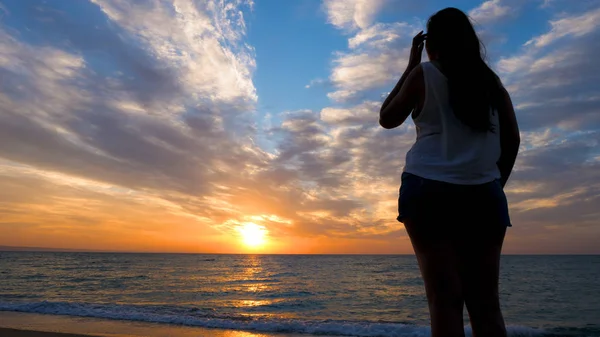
(328, 327)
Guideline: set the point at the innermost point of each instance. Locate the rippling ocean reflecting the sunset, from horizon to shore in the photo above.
(349, 295)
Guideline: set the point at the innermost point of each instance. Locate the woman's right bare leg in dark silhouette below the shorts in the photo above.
(480, 260)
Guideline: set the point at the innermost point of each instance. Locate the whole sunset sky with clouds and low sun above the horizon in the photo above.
(235, 126)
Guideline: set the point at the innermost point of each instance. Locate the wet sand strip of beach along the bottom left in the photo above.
(17, 324)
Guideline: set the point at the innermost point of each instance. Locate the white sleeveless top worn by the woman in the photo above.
(446, 149)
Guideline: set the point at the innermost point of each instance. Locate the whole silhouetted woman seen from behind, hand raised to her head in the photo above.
(451, 200)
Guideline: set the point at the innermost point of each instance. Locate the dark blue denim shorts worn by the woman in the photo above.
(426, 200)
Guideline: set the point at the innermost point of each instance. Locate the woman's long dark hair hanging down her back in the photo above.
(474, 88)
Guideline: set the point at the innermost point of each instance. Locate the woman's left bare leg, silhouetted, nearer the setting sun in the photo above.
(438, 261)
